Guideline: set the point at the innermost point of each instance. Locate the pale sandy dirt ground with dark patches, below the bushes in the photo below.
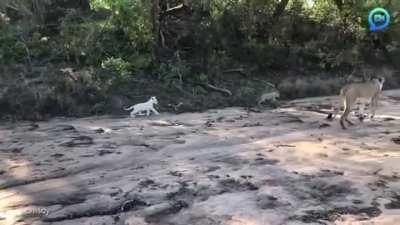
(222, 167)
